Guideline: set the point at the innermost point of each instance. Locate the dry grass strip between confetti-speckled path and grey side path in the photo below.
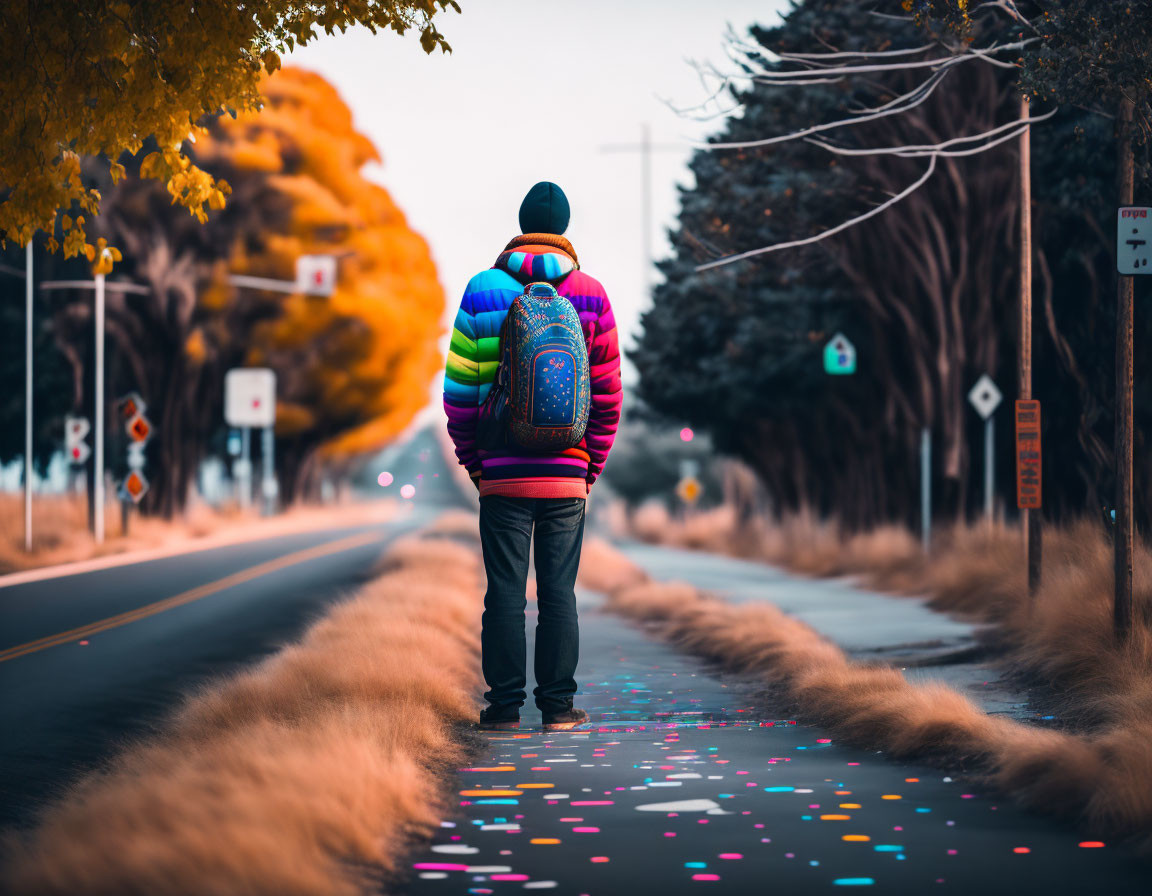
(1104, 780)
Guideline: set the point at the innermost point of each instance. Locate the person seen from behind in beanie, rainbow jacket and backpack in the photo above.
(533, 396)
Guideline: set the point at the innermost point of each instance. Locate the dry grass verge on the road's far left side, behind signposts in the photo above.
(60, 528)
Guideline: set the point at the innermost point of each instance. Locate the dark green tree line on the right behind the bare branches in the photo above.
(927, 290)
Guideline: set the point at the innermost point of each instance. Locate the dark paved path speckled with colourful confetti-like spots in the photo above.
(686, 783)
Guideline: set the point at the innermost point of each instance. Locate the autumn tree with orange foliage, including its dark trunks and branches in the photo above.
(353, 369)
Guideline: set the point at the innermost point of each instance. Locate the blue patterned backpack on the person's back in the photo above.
(542, 394)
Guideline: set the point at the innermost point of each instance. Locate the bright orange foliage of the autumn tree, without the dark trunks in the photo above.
(353, 369)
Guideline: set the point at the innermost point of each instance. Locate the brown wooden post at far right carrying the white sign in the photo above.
(1124, 610)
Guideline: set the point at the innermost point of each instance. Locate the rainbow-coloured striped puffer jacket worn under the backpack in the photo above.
(473, 360)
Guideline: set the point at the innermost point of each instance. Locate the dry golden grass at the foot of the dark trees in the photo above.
(1062, 637)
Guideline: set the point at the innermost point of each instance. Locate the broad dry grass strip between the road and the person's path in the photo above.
(306, 774)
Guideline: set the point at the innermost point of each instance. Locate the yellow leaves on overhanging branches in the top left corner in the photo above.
(123, 73)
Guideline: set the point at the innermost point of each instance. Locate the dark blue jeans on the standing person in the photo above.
(506, 534)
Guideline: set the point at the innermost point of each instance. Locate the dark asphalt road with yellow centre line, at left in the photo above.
(90, 660)
